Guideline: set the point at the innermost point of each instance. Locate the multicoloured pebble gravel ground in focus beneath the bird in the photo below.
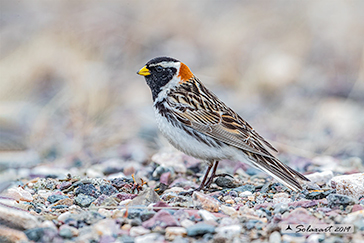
(116, 208)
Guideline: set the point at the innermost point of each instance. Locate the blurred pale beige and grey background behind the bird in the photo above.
(70, 96)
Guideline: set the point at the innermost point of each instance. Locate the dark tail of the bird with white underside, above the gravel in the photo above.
(278, 170)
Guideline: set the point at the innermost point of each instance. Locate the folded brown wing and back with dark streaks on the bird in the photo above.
(198, 108)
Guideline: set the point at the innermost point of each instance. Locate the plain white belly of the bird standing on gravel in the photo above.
(190, 145)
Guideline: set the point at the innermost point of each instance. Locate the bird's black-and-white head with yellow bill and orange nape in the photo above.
(164, 72)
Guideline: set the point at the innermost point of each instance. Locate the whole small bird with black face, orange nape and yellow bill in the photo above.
(195, 121)
